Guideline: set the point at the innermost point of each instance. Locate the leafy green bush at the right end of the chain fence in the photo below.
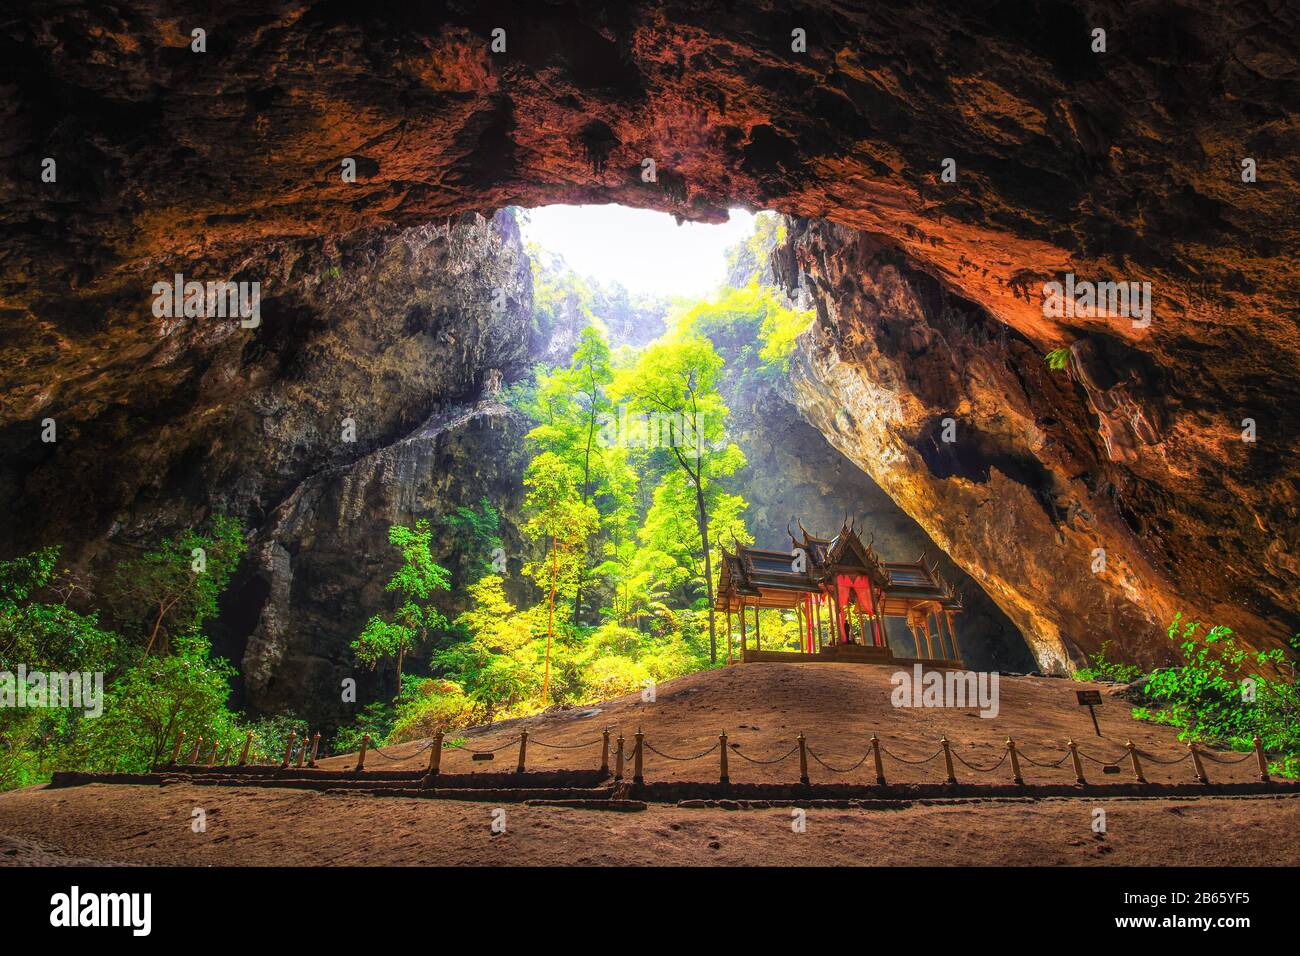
(1228, 695)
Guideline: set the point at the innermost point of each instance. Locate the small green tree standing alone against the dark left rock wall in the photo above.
(415, 582)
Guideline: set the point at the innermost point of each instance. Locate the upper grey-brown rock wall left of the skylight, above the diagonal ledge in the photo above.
(361, 341)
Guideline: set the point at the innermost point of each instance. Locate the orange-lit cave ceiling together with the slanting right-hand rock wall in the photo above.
(1121, 166)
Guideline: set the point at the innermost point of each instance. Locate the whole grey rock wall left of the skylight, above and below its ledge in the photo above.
(363, 400)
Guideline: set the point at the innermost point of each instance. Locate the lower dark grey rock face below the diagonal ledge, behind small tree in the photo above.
(322, 561)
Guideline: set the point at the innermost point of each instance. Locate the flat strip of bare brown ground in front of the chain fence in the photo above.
(262, 828)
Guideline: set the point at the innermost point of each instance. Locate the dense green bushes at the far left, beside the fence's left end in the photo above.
(154, 667)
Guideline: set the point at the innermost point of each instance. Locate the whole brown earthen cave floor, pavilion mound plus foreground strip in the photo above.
(762, 707)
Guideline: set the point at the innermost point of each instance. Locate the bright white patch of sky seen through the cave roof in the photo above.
(644, 250)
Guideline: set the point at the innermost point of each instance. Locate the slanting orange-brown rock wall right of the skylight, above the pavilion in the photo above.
(1037, 482)
